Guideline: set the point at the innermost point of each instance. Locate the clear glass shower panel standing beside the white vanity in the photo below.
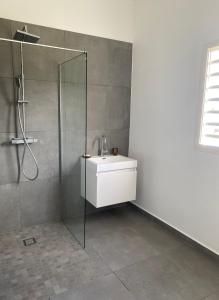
(73, 132)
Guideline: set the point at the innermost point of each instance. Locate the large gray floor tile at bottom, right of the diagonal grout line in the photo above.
(157, 278)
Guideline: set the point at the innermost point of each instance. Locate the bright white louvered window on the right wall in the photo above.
(209, 135)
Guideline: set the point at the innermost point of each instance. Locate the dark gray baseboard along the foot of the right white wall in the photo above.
(185, 236)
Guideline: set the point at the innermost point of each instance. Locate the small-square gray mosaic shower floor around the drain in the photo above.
(56, 263)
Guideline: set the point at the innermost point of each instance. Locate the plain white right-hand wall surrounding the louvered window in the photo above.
(177, 182)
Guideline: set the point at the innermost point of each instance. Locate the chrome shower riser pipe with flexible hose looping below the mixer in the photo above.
(22, 122)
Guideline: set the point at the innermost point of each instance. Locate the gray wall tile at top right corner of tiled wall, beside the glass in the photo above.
(109, 62)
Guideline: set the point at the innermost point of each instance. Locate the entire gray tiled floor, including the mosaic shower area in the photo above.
(127, 256)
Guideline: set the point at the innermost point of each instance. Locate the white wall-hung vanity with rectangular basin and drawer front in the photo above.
(109, 179)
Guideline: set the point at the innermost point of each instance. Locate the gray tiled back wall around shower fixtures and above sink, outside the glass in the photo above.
(109, 80)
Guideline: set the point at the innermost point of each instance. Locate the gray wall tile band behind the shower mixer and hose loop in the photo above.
(46, 151)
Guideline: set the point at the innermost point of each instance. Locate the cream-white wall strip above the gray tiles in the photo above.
(105, 18)
